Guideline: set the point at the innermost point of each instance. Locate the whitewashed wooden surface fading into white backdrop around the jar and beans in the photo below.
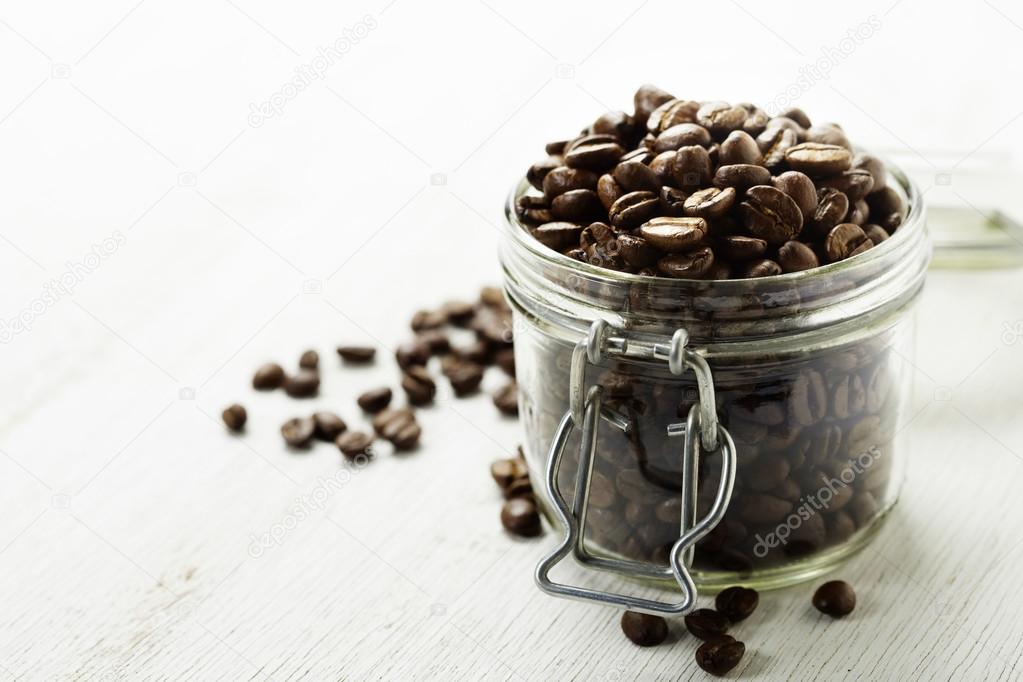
(128, 513)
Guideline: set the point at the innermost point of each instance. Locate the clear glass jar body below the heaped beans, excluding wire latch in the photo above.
(812, 375)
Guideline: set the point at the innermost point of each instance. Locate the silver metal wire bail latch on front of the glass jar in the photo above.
(701, 432)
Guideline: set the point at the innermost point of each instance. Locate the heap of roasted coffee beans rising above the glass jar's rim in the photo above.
(708, 191)
